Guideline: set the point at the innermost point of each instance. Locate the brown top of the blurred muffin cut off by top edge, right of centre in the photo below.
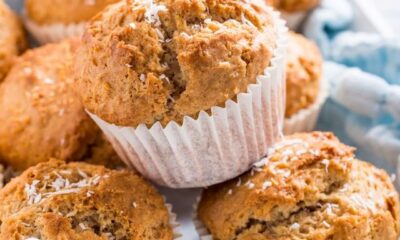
(291, 6)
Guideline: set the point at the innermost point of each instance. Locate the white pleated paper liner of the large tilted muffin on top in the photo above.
(215, 147)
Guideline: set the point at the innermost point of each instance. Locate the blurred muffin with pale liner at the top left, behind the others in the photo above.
(55, 20)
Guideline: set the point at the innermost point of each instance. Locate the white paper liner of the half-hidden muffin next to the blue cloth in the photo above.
(306, 119)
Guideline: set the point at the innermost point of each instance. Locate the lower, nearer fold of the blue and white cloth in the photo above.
(363, 110)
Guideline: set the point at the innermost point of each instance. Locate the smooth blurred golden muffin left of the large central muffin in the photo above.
(40, 115)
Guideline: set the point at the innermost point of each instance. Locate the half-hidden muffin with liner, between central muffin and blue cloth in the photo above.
(305, 89)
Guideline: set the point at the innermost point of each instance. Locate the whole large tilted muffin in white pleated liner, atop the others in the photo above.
(166, 69)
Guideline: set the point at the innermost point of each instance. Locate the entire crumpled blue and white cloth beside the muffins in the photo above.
(364, 104)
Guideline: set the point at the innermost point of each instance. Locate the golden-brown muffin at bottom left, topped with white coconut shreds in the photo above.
(78, 201)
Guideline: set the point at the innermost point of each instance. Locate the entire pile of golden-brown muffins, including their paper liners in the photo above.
(184, 93)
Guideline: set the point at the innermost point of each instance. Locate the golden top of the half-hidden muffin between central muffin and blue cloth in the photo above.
(303, 74)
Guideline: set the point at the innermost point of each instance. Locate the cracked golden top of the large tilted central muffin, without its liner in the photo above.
(158, 61)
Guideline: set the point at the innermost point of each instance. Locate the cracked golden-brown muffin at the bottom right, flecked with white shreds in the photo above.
(310, 187)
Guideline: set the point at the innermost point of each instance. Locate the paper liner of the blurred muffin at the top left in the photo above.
(54, 32)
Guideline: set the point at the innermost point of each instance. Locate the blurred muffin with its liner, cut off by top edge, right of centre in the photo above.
(294, 11)
